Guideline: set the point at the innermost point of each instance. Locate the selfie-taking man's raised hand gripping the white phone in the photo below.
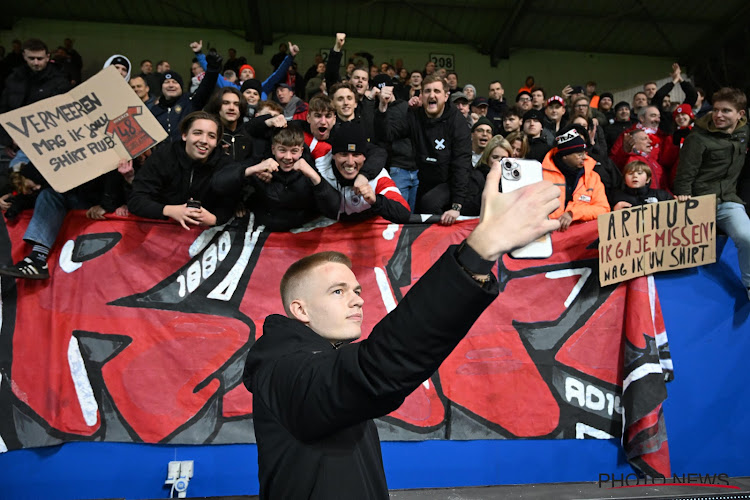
(511, 220)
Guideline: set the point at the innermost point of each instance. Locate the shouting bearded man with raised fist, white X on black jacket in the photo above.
(442, 148)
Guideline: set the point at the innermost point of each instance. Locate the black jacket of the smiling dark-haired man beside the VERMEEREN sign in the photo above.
(170, 177)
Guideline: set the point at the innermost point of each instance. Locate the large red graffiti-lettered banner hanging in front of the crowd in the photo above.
(141, 333)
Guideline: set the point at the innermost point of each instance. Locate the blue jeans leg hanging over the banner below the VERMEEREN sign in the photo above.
(49, 213)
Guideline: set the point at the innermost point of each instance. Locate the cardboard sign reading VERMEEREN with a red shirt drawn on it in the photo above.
(75, 137)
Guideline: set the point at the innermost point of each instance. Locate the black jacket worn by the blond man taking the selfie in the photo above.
(313, 405)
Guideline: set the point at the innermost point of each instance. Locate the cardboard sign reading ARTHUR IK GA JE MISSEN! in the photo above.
(656, 237)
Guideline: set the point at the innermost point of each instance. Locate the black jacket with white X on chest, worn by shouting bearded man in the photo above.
(442, 146)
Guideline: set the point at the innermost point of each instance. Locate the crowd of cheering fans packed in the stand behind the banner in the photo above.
(349, 142)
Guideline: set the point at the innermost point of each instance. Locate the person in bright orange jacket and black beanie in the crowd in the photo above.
(582, 193)
